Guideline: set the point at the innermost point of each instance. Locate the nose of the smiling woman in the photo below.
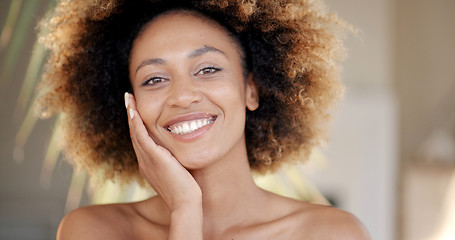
(183, 93)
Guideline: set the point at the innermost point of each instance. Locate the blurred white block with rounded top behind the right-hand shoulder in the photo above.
(362, 161)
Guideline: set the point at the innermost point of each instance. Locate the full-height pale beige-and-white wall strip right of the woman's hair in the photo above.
(363, 153)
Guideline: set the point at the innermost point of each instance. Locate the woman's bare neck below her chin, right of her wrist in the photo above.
(228, 190)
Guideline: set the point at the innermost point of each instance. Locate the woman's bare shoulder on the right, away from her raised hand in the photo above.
(302, 220)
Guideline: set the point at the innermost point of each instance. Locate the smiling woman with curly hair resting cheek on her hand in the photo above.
(215, 88)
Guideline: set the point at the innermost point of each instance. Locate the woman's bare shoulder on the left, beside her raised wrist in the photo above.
(139, 220)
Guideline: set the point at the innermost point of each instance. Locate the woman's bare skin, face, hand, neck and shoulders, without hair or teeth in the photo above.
(182, 67)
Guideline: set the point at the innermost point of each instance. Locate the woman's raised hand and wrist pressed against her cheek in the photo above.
(171, 181)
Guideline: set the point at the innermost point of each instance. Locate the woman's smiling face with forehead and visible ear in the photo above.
(190, 90)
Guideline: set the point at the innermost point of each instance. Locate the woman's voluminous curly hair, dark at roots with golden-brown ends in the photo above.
(290, 46)
